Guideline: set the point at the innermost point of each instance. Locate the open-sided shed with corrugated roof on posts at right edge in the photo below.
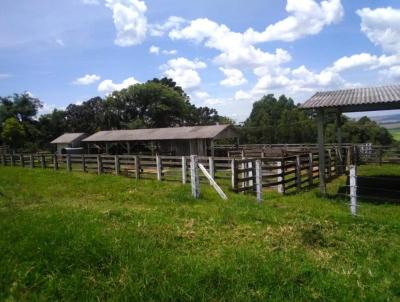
(348, 100)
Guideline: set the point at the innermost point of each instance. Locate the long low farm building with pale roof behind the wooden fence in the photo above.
(167, 141)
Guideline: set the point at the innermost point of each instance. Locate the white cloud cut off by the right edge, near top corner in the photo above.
(382, 27)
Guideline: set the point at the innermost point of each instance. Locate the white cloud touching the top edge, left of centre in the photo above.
(129, 20)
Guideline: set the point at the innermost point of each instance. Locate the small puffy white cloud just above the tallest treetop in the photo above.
(183, 71)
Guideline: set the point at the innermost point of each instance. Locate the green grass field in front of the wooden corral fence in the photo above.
(86, 237)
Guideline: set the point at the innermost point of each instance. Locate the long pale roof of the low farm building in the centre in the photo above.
(196, 132)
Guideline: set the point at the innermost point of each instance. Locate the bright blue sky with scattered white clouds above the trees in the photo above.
(226, 54)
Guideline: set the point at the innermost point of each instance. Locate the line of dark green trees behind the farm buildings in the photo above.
(161, 103)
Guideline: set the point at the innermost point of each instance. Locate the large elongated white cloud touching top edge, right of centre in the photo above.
(306, 17)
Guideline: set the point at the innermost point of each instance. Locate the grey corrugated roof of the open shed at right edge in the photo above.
(354, 97)
